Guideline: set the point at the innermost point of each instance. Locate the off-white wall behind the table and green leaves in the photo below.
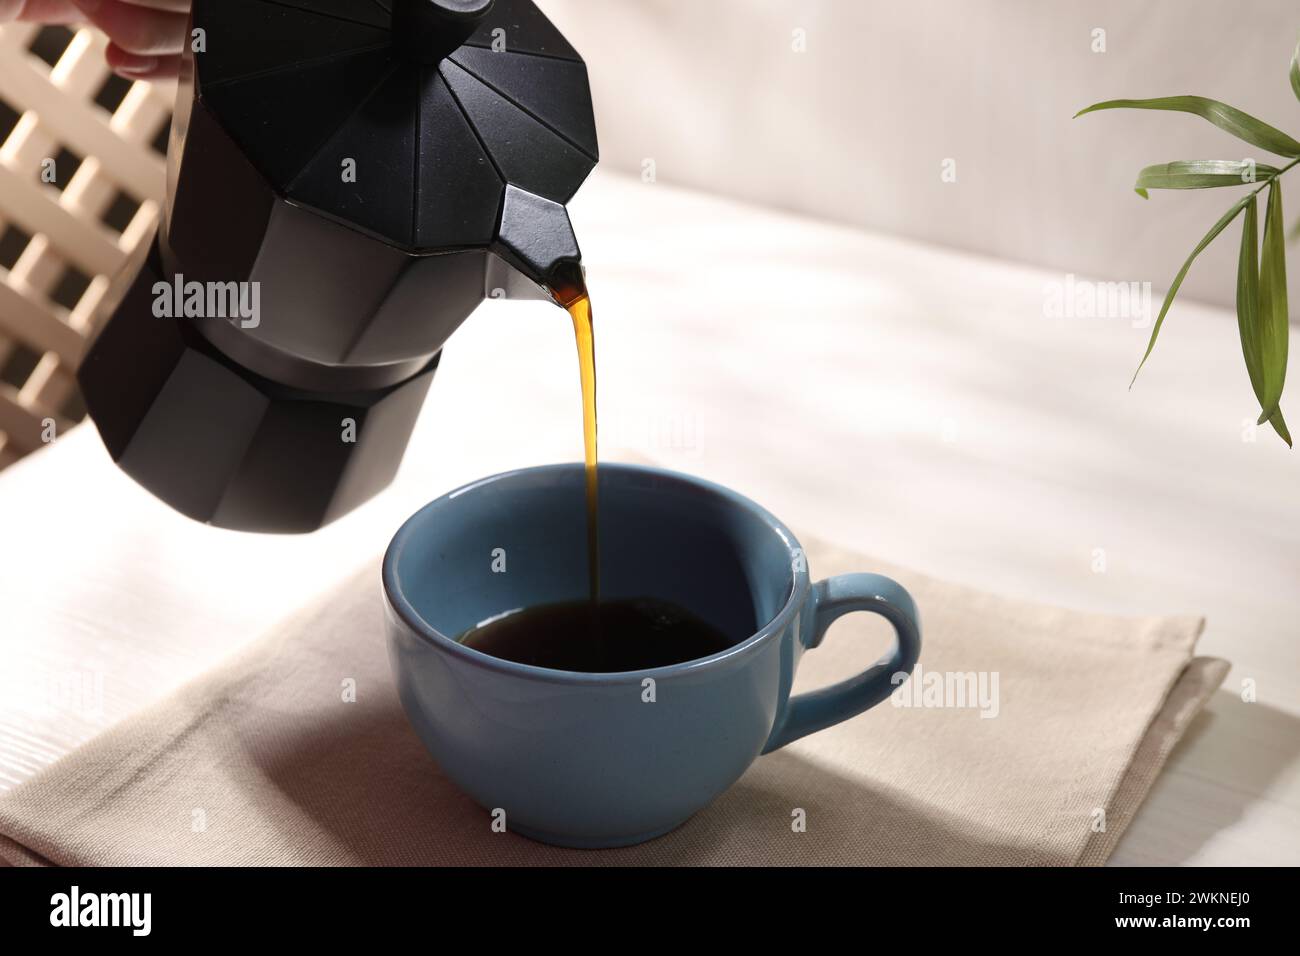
(857, 128)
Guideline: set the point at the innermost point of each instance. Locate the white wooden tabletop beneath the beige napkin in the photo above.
(909, 401)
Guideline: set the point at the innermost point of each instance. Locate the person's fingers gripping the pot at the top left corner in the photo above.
(145, 36)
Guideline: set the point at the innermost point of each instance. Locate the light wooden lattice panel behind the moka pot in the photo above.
(64, 243)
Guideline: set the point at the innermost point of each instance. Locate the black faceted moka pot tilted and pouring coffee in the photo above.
(348, 180)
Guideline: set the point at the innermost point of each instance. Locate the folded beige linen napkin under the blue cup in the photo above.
(268, 760)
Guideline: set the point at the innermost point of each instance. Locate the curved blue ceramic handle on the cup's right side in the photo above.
(831, 600)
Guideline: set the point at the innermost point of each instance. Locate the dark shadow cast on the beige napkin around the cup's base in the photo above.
(365, 780)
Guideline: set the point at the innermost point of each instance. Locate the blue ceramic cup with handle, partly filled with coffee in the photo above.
(606, 760)
